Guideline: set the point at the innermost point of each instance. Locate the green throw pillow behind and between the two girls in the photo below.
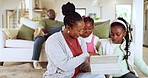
(102, 29)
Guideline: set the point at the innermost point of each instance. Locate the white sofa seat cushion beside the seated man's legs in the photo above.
(18, 43)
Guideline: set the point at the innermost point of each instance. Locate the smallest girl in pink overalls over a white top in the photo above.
(90, 39)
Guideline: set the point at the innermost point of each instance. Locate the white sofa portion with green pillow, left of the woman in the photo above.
(13, 48)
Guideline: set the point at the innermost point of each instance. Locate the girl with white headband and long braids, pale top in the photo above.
(120, 44)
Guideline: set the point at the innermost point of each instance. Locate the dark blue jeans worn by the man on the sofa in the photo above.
(39, 40)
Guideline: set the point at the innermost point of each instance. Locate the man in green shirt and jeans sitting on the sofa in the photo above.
(46, 27)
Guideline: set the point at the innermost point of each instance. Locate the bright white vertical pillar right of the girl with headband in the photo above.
(138, 23)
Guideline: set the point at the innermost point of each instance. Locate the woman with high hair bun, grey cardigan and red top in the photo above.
(66, 50)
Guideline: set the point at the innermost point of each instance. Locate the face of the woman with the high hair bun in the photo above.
(76, 30)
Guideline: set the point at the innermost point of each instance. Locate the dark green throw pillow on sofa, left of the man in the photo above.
(25, 33)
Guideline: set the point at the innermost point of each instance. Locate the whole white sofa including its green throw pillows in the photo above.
(15, 48)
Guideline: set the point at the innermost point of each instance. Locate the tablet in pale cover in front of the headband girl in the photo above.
(104, 64)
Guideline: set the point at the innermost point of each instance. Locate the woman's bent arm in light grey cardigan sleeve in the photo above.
(57, 53)
